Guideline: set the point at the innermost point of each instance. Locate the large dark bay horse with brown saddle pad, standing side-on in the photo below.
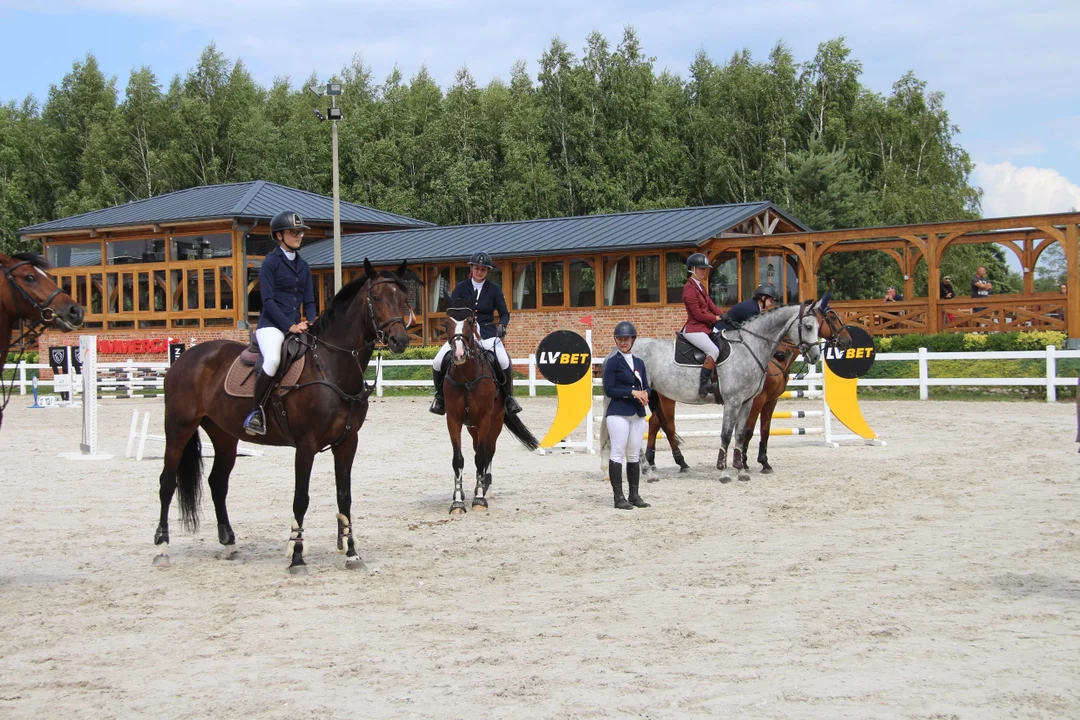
(326, 409)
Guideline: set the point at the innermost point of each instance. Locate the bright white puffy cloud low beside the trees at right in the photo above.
(1010, 192)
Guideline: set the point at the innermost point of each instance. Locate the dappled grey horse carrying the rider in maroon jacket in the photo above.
(741, 376)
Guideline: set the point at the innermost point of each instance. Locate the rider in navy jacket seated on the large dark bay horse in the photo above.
(286, 284)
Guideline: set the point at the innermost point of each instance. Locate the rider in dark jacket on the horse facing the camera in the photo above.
(488, 300)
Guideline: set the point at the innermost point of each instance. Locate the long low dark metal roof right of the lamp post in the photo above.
(684, 226)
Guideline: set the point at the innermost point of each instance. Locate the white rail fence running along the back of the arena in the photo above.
(126, 379)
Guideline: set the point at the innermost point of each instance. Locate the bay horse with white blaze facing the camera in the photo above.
(474, 402)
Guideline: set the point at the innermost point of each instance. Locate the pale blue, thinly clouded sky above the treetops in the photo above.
(1009, 71)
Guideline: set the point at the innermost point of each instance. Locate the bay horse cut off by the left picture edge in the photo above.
(31, 295)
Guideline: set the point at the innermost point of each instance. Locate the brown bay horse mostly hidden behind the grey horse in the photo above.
(776, 383)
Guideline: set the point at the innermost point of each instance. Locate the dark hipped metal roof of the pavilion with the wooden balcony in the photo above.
(258, 200)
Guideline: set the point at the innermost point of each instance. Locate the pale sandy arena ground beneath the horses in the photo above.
(935, 578)
